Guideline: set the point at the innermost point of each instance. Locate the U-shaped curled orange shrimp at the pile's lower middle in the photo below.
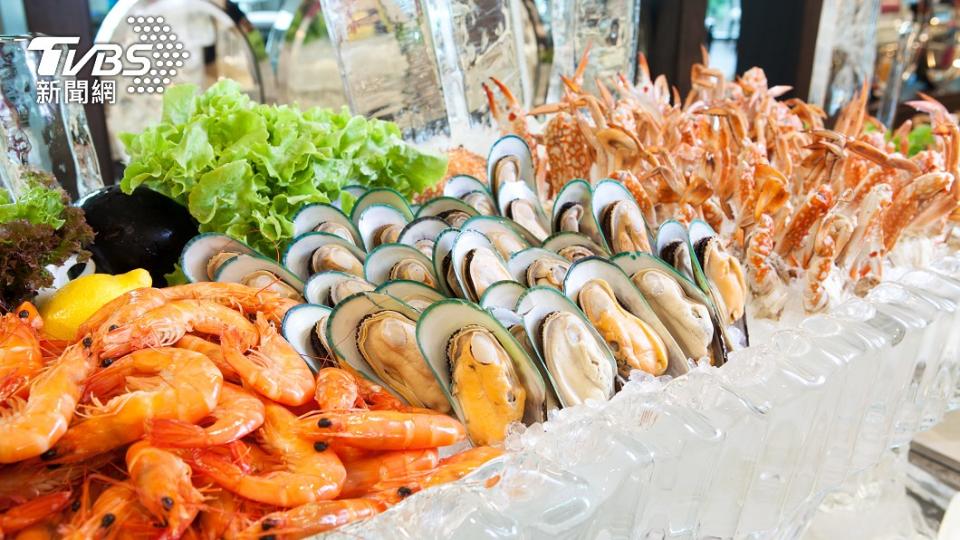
(302, 471)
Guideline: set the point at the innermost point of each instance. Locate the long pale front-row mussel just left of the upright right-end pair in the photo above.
(686, 312)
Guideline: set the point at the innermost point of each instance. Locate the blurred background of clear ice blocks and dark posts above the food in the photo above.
(421, 63)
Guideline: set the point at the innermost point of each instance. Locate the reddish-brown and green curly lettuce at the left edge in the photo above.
(39, 229)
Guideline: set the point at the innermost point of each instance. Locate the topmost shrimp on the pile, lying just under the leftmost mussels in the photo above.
(235, 295)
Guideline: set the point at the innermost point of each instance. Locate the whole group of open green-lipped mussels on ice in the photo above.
(479, 304)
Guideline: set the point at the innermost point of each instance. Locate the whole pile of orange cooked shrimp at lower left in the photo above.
(182, 412)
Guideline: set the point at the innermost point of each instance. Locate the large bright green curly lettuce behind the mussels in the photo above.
(244, 169)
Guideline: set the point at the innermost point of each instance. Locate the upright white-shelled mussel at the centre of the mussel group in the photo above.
(476, 264)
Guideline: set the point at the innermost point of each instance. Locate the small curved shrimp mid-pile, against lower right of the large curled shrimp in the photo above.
(237, 414)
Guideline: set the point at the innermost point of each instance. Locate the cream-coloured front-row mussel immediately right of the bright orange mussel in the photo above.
(578, 363)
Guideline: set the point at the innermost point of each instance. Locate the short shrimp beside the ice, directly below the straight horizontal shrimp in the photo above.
(365, 473)
